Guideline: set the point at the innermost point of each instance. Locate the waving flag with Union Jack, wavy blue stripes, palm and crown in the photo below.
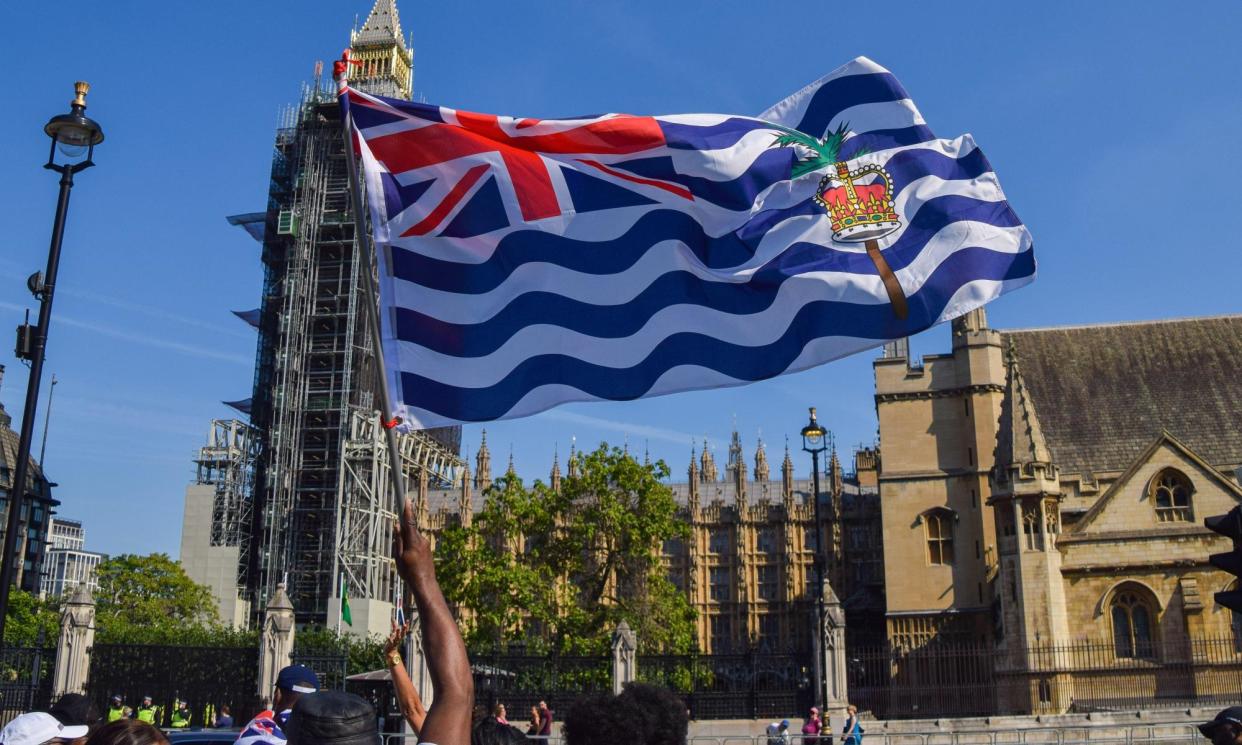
(525, 264)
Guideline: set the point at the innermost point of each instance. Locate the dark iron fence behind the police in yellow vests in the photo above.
(203, 677)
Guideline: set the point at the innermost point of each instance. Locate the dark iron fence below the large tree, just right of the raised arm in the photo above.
(521, 679)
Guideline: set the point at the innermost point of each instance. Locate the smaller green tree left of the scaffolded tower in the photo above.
(152, 600)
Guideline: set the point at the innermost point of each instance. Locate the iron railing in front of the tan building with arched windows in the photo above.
(976, 680)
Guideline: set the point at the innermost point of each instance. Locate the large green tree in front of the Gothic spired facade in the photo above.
(563, 568)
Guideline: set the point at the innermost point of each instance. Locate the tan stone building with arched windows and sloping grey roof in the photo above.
(1046, 489)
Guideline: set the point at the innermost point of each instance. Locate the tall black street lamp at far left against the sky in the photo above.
(74, 136)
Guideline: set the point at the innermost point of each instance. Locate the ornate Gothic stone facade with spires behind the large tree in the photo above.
(748, 566)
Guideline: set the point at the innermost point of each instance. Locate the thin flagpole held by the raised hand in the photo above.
(367, 249)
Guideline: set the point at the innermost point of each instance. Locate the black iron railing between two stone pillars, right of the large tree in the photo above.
(752, 686)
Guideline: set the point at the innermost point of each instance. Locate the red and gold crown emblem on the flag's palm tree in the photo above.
(860, 212)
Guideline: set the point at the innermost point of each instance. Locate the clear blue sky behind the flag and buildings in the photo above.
(1113, 127)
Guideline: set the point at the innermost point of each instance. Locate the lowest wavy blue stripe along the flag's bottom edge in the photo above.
(814, 321)
